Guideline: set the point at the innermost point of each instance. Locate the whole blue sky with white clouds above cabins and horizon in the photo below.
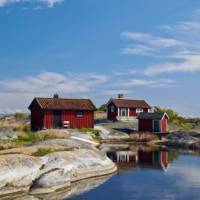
(98, 48)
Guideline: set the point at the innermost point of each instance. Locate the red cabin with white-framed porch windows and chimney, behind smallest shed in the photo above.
(125, 109)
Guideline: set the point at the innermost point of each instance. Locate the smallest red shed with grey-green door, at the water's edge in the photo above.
(153, 122)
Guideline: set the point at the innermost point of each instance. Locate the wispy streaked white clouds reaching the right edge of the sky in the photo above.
(183, 48)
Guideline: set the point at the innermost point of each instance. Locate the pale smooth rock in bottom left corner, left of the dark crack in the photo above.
(17, 172)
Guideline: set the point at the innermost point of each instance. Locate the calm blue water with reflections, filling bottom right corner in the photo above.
(148, 174)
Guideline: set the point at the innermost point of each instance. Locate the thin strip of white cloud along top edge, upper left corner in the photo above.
(49, 3)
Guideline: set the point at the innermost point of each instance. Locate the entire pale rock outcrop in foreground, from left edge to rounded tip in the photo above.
(54, 171)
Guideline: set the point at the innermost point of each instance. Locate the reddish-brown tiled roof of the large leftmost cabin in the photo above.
(63, 104)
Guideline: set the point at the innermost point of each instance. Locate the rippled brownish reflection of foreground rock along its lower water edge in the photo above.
(75, 189)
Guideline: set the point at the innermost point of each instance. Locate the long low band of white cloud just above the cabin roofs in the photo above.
(17, 93)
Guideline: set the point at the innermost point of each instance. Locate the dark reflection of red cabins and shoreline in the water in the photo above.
(129, 157)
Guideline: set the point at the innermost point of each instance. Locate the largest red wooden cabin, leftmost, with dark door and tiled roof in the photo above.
(47, 113)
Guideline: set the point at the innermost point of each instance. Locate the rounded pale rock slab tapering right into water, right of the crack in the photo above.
(72, 166)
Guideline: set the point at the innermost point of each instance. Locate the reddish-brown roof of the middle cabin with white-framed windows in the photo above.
(130, 103)
